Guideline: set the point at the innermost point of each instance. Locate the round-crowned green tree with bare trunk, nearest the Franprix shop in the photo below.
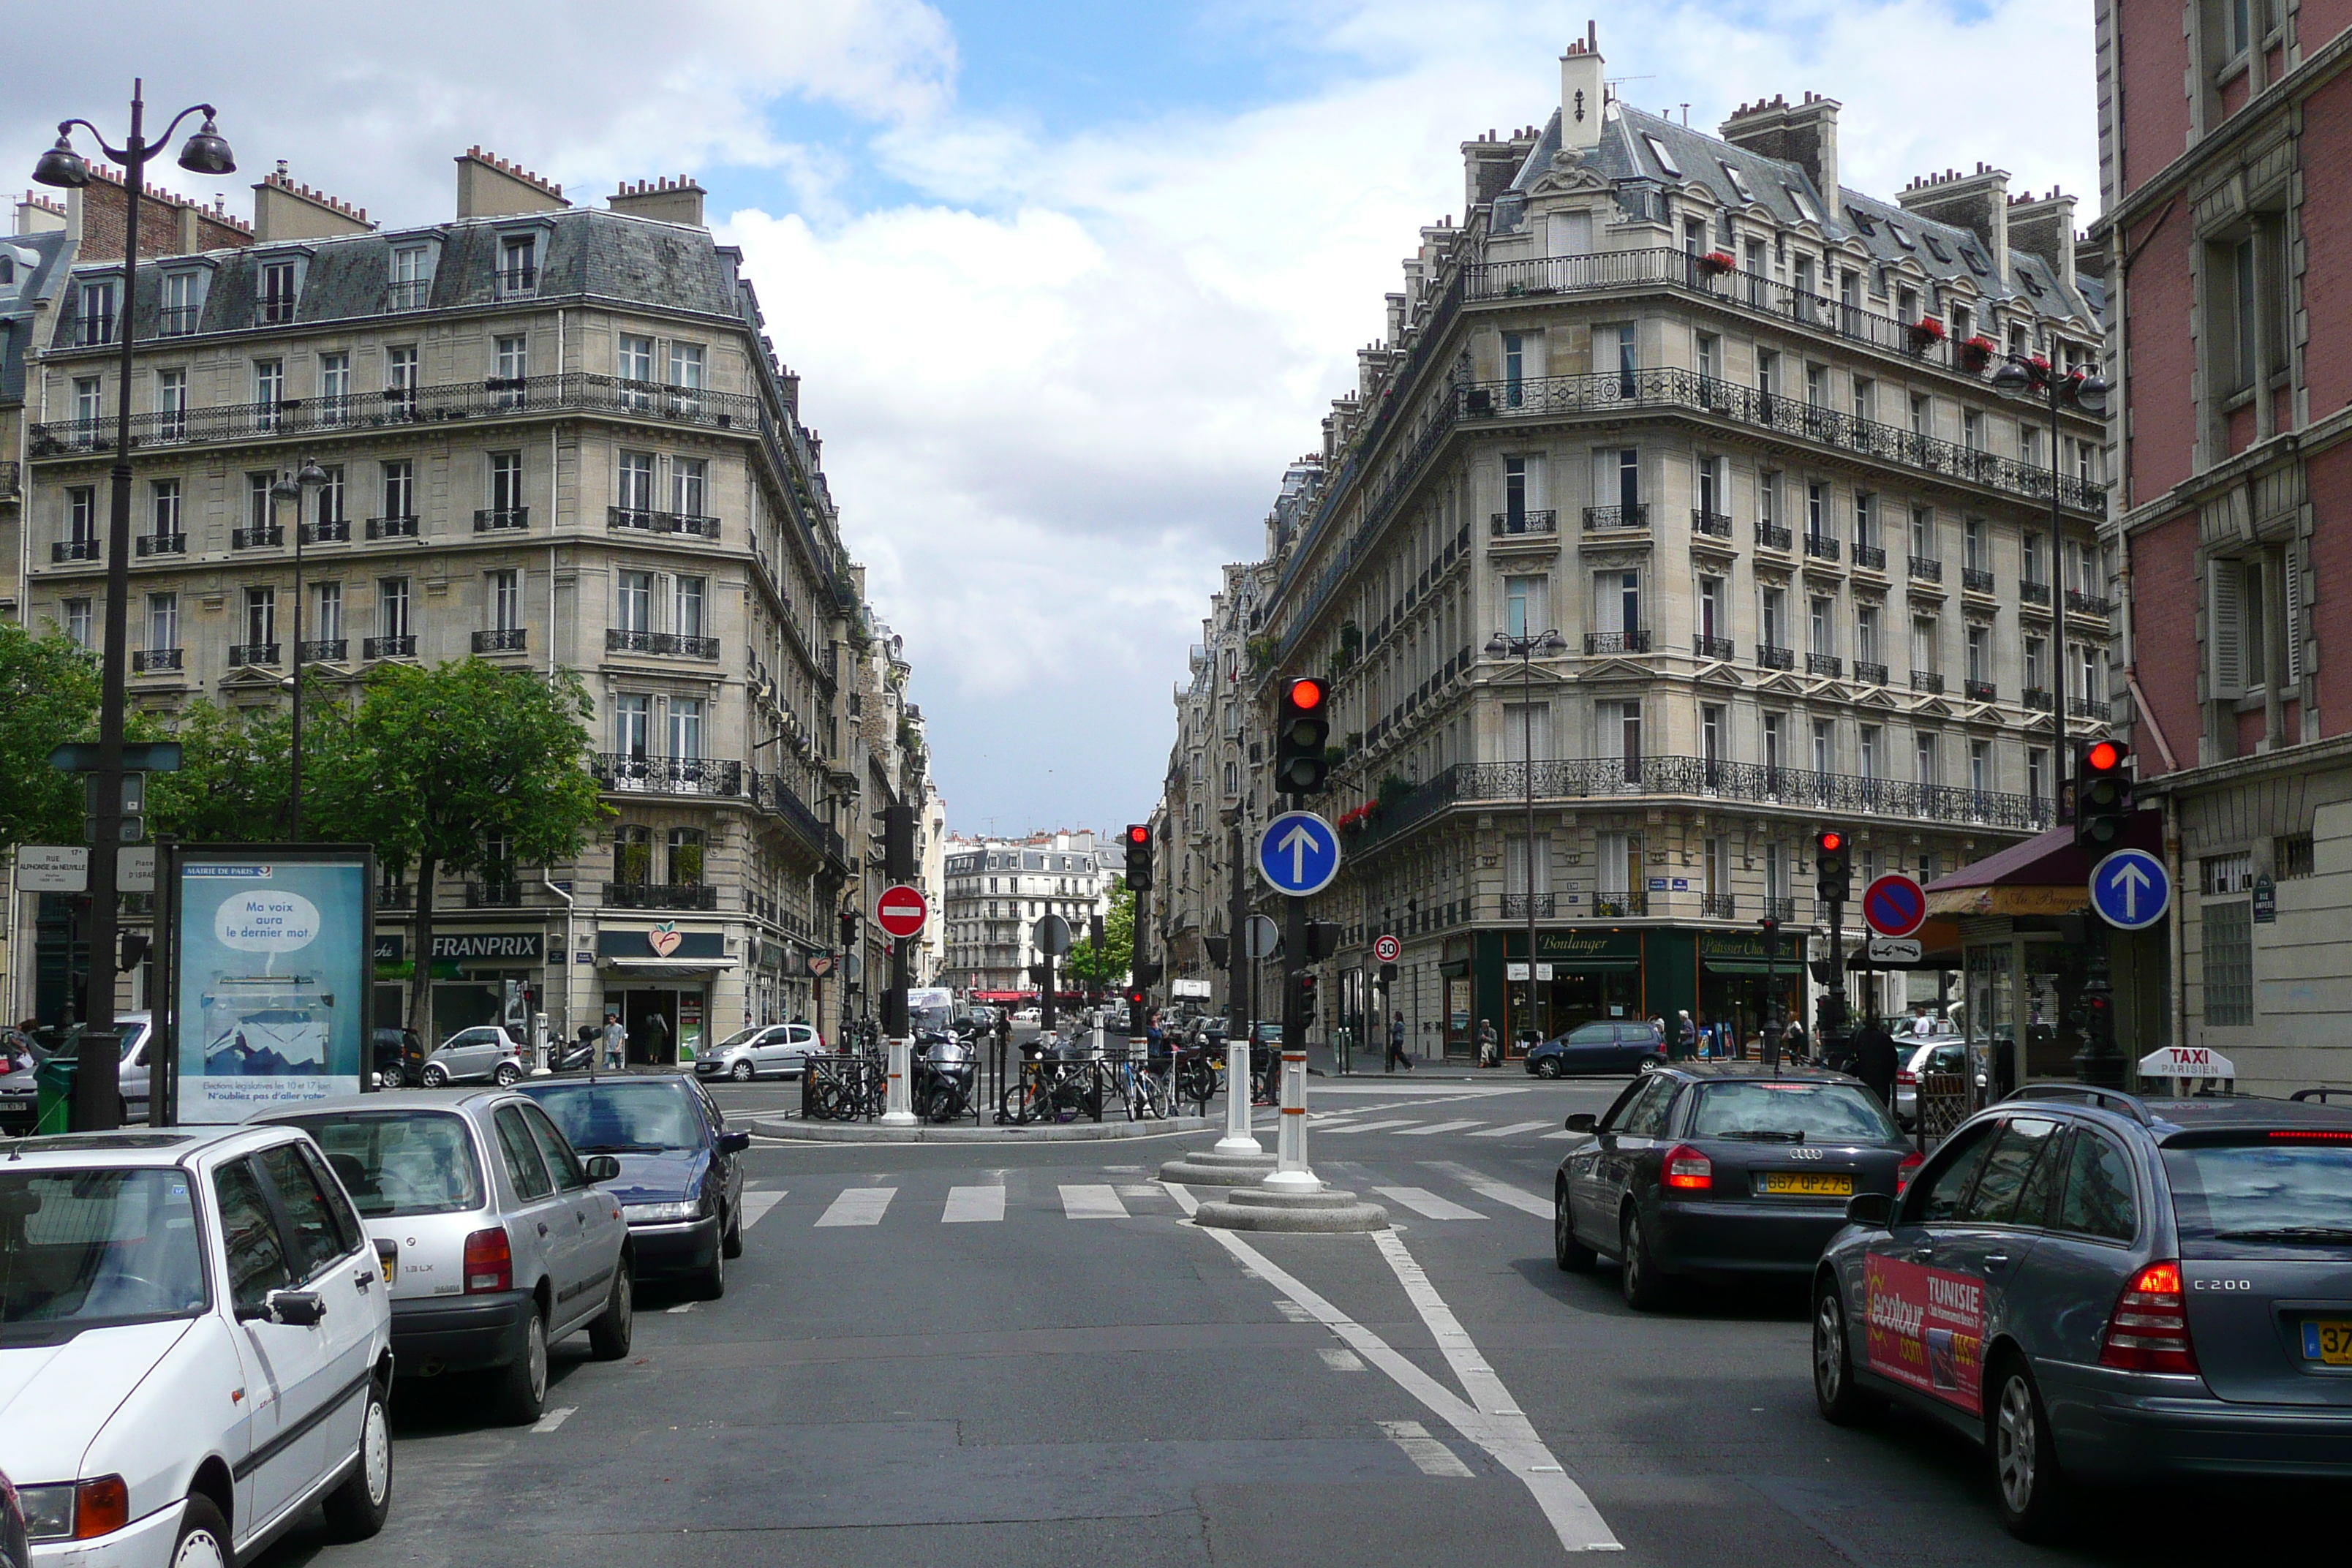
(439, 763)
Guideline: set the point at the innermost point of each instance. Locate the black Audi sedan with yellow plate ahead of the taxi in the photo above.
(1723, 1172)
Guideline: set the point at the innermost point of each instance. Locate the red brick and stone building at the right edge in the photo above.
(2226, 138)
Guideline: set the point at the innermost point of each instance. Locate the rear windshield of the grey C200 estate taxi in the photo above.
(2273, 1193)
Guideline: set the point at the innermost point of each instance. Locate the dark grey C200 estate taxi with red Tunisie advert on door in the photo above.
(2109, 1289)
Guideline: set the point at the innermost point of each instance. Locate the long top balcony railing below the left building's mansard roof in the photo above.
(425, 406)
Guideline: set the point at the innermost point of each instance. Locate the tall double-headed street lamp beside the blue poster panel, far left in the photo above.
(98, 1090)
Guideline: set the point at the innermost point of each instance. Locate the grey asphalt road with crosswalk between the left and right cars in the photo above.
(1024, 1358)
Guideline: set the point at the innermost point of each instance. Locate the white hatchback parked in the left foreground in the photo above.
(196, 1346)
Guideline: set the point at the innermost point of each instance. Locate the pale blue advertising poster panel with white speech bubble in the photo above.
(272, 979)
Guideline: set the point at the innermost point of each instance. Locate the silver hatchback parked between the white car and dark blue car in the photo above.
(493, 1231)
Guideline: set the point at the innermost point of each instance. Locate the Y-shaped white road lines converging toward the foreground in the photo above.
(1511, 1440)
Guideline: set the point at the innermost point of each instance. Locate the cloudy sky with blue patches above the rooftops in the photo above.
(1069, 283)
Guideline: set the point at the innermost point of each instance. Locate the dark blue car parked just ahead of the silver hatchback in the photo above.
(681, 1170)
